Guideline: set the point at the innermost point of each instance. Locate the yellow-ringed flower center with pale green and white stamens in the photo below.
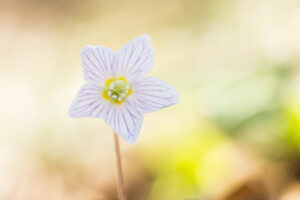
(116, 90)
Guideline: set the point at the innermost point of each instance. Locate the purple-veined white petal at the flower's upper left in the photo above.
(97, 62)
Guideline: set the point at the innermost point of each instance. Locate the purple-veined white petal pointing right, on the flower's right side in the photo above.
(151, 94)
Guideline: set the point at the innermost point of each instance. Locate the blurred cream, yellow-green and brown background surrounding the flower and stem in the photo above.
(235, 134)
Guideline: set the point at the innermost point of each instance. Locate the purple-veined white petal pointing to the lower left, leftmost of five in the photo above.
(88, 102)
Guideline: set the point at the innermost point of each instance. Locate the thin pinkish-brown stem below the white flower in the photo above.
(120, 184)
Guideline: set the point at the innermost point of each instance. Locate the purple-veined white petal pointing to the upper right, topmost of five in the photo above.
(135, 59)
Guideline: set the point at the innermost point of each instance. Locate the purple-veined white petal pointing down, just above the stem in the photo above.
(124, 120)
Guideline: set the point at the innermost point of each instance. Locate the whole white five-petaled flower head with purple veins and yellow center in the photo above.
(116, 88)
